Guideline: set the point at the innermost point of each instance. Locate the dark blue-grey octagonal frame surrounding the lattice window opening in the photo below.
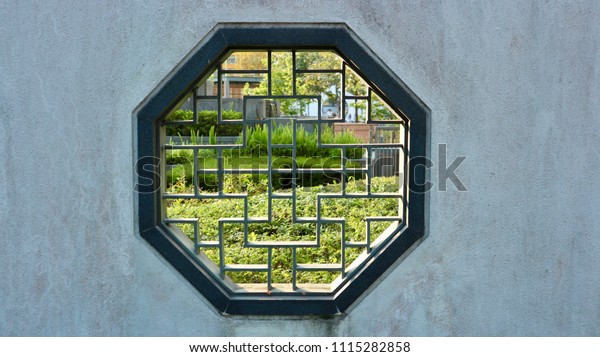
(181, 81)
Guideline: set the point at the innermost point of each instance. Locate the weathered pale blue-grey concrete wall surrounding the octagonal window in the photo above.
(512, 85)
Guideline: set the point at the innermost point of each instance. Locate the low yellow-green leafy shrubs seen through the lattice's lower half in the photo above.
(208, 211)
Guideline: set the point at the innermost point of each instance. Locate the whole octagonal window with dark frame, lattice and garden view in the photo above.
(287, 179)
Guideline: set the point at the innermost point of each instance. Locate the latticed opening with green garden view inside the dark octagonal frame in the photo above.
(283, 170)
